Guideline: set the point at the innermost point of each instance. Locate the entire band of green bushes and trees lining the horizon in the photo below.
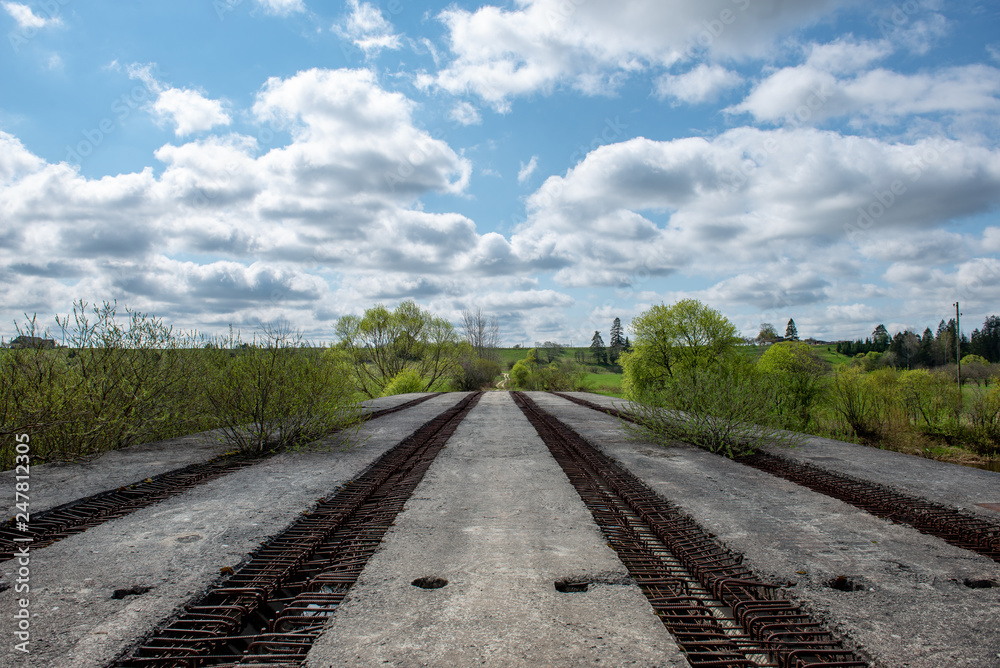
(119, 377)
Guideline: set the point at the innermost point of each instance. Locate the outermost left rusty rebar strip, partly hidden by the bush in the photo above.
(77, 516)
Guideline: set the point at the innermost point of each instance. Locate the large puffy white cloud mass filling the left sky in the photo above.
(342, 196)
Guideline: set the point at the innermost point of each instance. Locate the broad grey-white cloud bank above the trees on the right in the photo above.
(647, 208)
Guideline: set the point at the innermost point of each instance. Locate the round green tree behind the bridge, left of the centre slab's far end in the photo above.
(381, 344)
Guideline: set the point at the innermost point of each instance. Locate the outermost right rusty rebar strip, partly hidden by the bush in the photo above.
(952, 525)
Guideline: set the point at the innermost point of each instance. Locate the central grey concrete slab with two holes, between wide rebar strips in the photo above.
(496, 517)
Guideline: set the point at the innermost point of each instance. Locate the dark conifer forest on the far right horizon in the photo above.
(930, 349)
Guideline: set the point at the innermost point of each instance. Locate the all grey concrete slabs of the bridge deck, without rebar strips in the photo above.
(495, 517)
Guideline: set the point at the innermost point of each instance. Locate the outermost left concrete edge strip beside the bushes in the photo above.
(58, 483)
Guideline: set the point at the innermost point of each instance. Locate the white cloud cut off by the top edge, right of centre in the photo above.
(593, 46)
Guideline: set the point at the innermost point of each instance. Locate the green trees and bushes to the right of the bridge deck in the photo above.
(689, 377)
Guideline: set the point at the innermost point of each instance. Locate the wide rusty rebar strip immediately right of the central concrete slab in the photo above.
(720, 613)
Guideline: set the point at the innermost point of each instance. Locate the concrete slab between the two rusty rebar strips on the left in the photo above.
(176, 547)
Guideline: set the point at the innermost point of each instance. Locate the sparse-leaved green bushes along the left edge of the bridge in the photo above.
(121, 379)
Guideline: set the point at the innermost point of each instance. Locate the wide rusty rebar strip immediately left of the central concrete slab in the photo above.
(272, 609)
